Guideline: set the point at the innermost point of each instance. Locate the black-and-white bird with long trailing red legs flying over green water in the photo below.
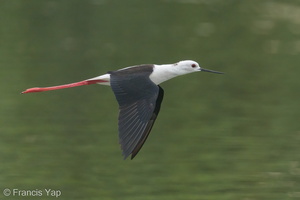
(139, 96)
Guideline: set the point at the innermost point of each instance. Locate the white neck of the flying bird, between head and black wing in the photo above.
(162, 73)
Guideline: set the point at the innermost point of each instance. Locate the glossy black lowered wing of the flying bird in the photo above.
(139, 104)
